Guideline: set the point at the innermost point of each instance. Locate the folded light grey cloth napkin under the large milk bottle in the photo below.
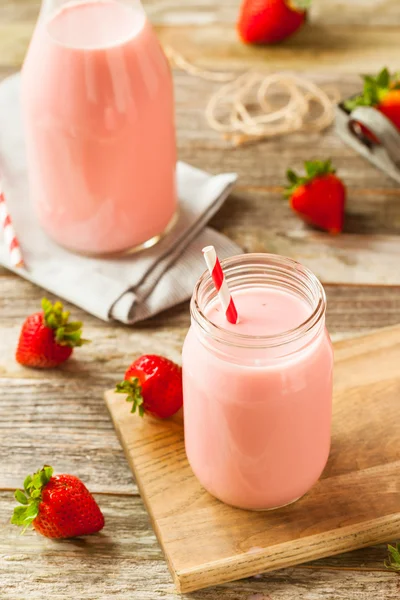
(128, 289)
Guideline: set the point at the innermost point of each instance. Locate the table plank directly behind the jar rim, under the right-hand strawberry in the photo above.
(263, 222)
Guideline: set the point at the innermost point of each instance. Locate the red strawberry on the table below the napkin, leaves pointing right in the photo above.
(47, 339)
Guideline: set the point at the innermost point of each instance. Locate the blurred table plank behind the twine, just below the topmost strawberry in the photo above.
(345, 48)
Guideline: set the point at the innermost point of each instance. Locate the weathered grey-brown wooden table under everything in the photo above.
(59, 417)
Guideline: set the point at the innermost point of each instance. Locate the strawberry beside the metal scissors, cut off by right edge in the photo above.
(383, 93)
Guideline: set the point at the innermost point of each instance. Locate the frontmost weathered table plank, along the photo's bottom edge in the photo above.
(126, 559)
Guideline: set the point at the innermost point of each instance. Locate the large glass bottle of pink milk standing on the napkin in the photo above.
(98, 111)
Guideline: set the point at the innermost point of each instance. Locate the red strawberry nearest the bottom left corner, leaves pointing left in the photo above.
(58, 506)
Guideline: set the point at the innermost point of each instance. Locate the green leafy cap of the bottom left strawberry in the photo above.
(30, 497)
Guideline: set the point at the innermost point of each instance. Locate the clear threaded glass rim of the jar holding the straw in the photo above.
(229, 337)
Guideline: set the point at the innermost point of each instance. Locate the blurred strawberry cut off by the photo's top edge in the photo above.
(270, 21)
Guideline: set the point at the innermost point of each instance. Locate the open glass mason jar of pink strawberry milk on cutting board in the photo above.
(257, 405)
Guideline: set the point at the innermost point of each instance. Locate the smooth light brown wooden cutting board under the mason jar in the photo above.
(356, 502)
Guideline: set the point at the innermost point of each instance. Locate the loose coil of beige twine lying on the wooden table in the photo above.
(257, 105)
